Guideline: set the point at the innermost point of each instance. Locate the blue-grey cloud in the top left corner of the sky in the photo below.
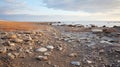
(11, 6)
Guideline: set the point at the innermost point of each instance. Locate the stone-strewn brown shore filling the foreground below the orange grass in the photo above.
(61, 46)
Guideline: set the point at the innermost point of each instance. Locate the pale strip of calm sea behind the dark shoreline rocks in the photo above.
(88, 23)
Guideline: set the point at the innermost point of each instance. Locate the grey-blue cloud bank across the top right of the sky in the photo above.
(84, 5)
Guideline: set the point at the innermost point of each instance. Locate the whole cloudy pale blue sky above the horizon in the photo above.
(60, 10)
